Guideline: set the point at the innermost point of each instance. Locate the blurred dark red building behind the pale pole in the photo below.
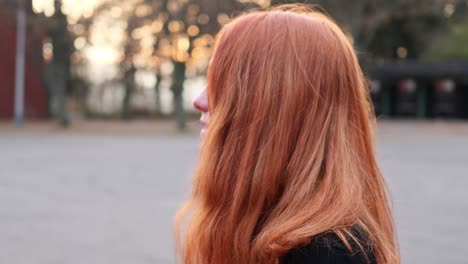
(35, 100)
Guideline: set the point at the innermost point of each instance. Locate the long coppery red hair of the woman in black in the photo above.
(288, 154)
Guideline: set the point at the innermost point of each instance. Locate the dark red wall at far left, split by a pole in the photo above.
(35, 91)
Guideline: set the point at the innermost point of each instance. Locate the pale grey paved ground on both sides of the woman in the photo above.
(92, 196)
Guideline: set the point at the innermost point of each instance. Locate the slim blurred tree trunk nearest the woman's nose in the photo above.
(177, 89)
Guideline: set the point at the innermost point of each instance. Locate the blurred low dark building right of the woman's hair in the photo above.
(420, 90)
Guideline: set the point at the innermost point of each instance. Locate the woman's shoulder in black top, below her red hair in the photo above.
(329, 249)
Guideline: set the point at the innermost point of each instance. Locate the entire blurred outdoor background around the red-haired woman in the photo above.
(99, 138)
